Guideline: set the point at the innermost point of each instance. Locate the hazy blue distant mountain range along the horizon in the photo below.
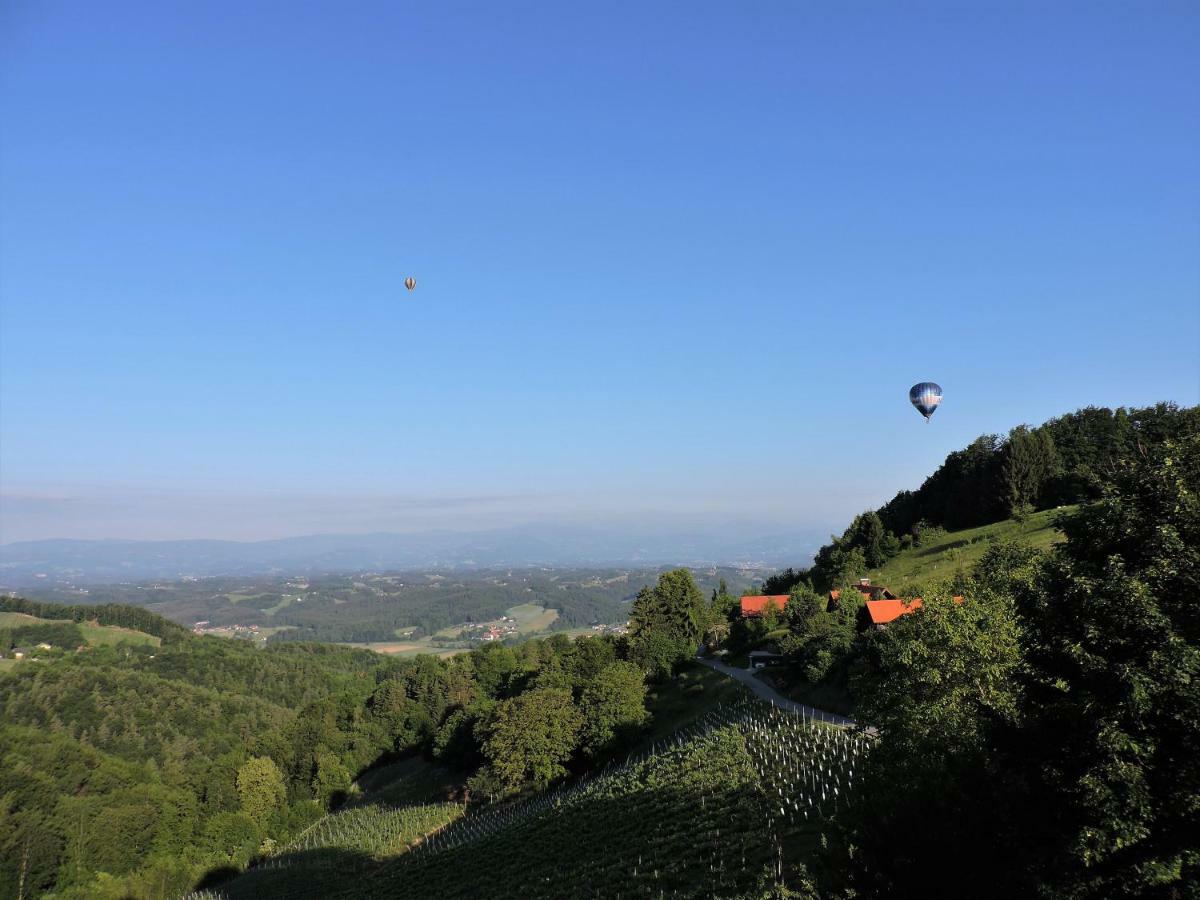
(32, 563)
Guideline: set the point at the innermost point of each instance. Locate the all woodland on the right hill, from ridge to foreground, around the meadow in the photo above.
(1040, 715)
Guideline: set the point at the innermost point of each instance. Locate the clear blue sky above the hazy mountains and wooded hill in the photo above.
(676, 261)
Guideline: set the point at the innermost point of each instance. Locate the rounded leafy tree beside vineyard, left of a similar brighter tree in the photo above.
(530, 739)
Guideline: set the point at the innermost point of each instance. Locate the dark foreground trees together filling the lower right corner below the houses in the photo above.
(1048, 728)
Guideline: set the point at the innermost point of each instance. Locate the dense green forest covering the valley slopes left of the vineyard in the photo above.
(137, 771)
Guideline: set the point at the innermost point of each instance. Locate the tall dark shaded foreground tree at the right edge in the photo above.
(1113, 715)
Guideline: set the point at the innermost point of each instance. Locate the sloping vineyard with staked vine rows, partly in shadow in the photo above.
(734, 805)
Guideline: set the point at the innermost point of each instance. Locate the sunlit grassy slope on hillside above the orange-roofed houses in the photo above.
(950, 554)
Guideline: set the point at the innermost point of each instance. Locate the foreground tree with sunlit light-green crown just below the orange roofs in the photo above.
(934, 683)
